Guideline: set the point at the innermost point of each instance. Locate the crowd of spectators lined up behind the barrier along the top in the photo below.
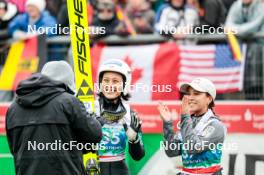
(130, 17)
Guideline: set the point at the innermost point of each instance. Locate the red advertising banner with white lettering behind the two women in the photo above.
(239, 117)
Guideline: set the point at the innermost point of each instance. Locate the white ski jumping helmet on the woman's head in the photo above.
(119, 66)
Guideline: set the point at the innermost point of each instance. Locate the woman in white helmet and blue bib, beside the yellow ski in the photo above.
(122, 123)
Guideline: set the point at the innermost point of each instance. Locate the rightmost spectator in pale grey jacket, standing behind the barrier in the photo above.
(247, 17)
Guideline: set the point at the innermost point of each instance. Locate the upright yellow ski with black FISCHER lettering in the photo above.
(79, 32)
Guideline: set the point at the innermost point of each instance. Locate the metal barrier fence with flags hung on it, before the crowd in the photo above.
(254, 55)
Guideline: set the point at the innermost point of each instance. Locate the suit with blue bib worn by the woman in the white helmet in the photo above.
(112, 156)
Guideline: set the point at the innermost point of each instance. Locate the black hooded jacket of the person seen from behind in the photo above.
(45, 113)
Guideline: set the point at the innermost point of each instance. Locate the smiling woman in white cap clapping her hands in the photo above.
(201, 133)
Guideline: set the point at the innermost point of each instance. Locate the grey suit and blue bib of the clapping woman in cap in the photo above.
(198, 133)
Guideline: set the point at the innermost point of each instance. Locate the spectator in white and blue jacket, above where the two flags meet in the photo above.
(176, 16)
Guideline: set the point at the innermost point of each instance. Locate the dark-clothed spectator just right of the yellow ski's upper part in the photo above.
(105, 16)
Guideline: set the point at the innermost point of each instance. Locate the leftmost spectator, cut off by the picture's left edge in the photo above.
(7, 12)
